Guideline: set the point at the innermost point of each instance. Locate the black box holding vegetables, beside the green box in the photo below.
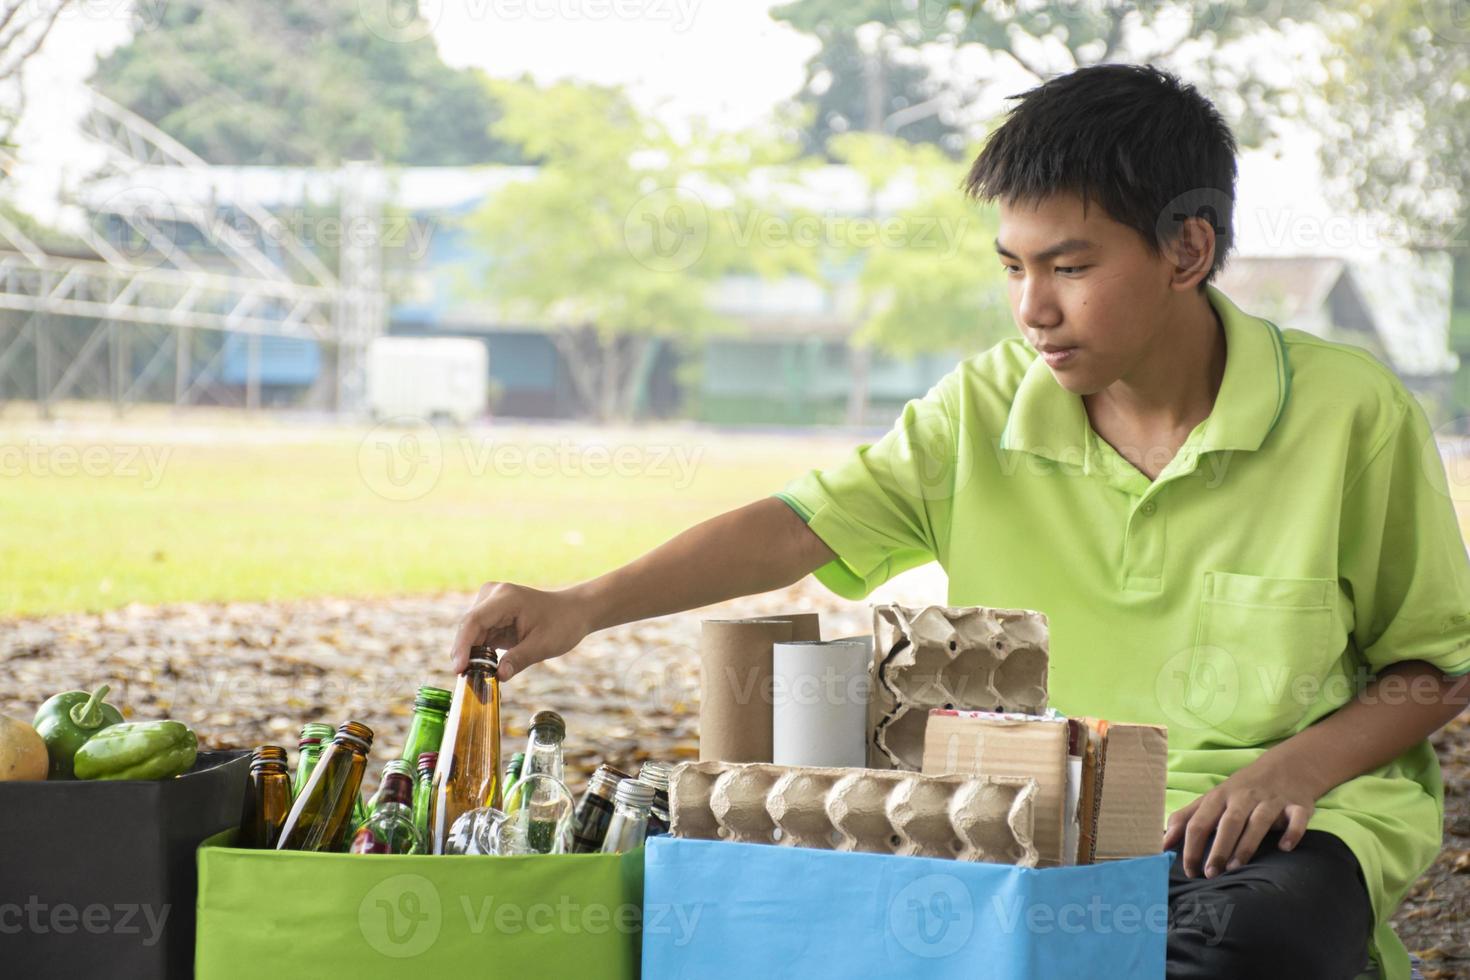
(98, 879)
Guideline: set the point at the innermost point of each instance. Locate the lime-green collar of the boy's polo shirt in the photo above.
(1046, 419)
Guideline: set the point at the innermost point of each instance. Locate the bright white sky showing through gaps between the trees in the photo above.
(725, 61)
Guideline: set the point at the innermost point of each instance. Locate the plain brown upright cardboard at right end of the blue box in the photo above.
(1134, 777)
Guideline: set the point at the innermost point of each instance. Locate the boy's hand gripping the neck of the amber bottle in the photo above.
(533, 625)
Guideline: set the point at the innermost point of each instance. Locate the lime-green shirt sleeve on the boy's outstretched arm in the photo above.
(886, 509)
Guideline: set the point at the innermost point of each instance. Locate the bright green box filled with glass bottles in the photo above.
(286, 915)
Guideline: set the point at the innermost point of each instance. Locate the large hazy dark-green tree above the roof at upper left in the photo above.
(301, 83)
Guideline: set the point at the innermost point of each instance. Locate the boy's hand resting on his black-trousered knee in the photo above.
(1241, 810)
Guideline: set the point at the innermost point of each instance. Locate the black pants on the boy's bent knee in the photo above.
(1302, 913)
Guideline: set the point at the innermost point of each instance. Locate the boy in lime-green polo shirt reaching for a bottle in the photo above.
(1240, 533)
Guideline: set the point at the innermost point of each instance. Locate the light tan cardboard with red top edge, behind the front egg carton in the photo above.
(999, 744)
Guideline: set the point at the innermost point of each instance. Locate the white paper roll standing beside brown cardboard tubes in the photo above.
(820, 703)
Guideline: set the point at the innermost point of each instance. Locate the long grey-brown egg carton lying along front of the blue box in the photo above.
(877, 812)
